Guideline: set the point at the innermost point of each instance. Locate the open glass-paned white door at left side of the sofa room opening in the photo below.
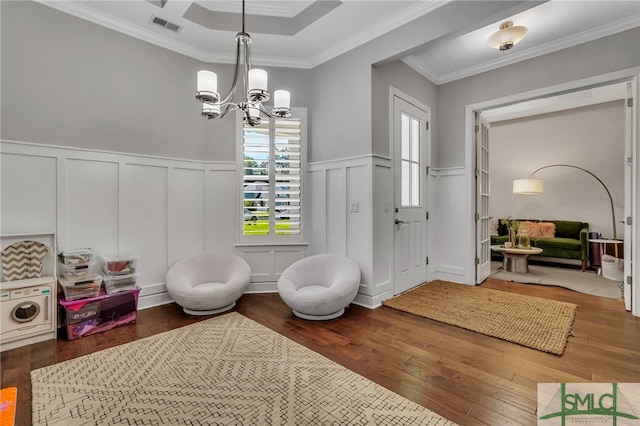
(483, 239)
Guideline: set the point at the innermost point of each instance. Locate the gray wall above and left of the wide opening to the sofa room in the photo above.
(613, 53)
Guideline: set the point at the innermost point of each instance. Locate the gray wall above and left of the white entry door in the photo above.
(404, 78)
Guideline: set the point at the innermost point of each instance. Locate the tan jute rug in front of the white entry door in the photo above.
(533, 322)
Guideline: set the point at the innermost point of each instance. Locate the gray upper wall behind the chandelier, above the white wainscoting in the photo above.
(69, 82)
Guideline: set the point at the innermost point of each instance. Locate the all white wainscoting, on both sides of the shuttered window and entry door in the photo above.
(165, 209)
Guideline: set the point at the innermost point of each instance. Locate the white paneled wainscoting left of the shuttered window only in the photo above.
(157, 208)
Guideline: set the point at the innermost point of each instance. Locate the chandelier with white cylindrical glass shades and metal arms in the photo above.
(254, 82)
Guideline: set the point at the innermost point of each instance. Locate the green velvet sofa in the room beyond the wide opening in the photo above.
(570, 241)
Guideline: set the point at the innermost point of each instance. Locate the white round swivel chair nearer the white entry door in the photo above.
(320, 287)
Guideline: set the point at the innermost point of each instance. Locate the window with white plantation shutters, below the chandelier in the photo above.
(272, 159)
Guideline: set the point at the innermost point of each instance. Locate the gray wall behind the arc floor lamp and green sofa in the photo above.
(589, 137)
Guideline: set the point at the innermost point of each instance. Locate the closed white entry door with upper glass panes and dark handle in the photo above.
(410, 136)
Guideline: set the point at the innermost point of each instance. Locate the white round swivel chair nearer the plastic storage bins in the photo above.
(208, 283)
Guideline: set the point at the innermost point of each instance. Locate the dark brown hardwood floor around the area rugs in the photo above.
(467, 377)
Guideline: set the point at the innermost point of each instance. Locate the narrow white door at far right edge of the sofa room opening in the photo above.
(630, 193)
